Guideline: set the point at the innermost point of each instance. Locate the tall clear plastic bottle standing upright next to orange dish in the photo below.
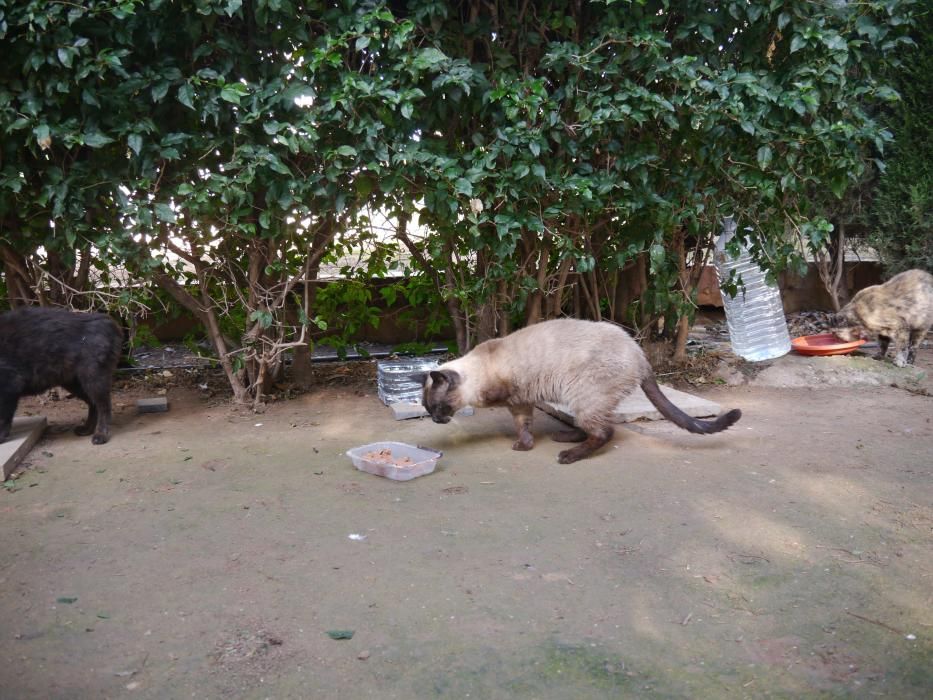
(755, 315)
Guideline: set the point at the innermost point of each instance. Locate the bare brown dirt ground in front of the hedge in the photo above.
(211, 552)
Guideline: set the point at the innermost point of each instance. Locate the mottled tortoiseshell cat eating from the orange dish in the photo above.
(900, 311)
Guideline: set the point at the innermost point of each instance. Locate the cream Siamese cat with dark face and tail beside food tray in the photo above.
(589, 366)
